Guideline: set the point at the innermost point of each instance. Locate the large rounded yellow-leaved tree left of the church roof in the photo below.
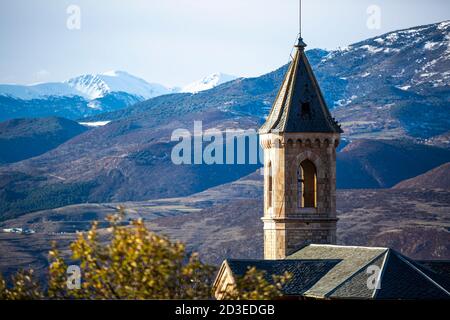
(134, 264)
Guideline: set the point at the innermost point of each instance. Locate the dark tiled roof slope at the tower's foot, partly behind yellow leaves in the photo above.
(305, 273)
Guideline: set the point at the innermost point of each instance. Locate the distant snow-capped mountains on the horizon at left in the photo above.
(89, 94)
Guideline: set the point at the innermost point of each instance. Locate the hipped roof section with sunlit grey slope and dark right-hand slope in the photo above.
(400, 277)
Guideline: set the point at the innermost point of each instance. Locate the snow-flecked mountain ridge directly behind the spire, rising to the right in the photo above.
(389, 86)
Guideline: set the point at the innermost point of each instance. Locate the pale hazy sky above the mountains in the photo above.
(174, 42)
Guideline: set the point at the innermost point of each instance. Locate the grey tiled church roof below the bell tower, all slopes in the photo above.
(342, 272)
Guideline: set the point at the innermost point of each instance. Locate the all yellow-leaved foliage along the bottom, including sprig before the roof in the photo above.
(131, 262)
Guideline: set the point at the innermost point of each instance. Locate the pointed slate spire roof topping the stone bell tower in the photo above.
(299, 105)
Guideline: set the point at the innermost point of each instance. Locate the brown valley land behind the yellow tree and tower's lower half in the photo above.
(224, 221)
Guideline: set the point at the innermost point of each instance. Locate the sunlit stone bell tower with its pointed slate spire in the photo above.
(299, 139)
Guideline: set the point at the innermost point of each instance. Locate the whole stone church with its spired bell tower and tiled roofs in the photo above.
(299, 139)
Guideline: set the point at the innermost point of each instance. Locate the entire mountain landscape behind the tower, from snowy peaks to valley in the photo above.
(390, 93)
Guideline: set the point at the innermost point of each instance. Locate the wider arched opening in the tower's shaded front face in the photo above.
(307, 185)
